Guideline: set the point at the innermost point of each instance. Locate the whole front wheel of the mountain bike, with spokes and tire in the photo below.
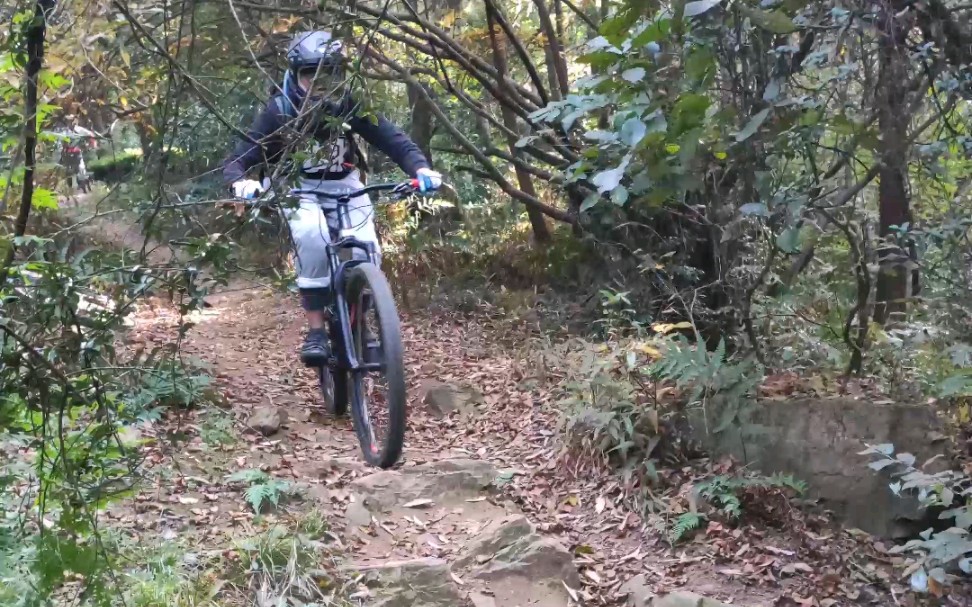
(377, 396)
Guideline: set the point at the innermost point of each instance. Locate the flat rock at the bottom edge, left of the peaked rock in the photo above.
(420, 582)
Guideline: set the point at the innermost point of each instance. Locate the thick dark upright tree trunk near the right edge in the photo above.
(893, 202)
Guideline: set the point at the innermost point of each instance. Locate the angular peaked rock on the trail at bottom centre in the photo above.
(539, 559)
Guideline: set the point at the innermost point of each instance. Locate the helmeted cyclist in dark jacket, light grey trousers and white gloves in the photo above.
(315, 101)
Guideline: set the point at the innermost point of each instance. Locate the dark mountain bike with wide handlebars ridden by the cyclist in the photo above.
(366, 368)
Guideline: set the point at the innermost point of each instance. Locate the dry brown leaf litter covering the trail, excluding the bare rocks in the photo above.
(801, 559)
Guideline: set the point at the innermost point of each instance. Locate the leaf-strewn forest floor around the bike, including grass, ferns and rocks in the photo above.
(486, 508)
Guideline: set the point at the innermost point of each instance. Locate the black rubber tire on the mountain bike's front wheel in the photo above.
(386, 454)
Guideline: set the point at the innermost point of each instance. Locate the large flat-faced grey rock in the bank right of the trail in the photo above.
(818, 441)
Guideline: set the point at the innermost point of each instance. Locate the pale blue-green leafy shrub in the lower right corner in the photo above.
(936, 553)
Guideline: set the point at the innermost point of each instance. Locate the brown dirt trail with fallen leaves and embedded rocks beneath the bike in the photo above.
(483, 509)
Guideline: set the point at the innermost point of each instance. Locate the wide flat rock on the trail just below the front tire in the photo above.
(441, 481)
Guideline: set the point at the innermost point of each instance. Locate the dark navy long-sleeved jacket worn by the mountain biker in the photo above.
(267, 137)
